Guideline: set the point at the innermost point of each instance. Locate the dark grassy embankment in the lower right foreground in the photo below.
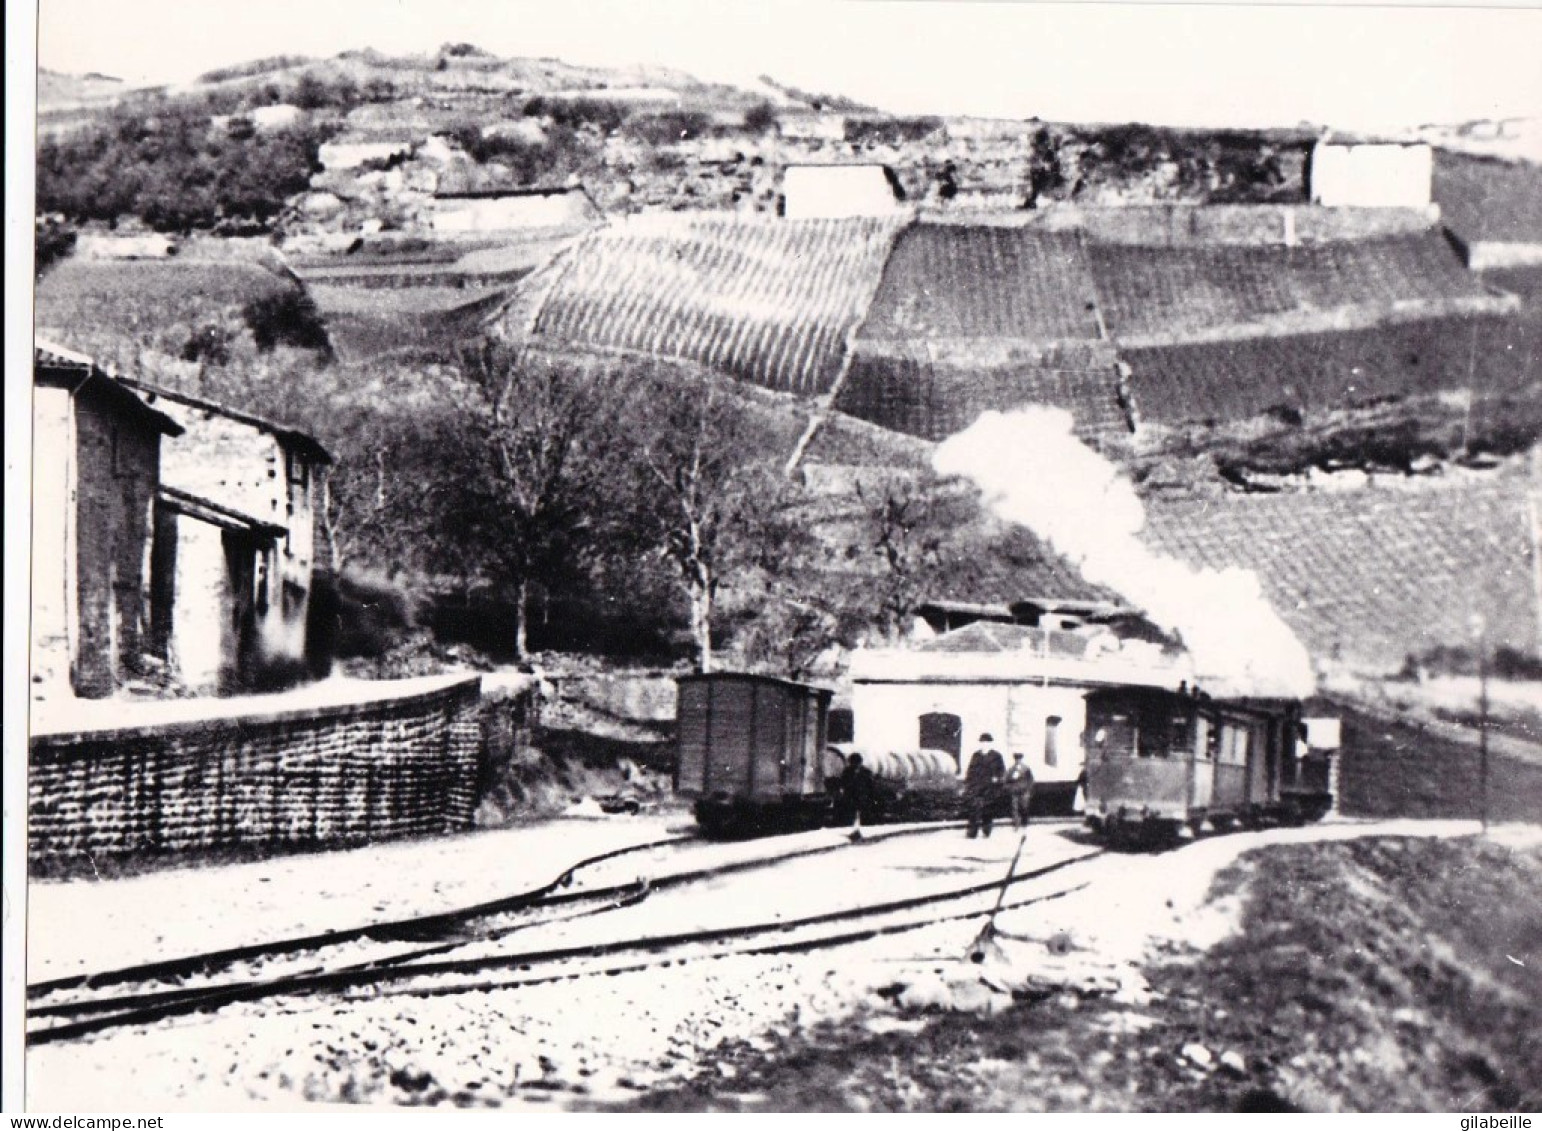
(1370, 976)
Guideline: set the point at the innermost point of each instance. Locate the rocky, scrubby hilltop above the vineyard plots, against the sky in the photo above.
(400, 129)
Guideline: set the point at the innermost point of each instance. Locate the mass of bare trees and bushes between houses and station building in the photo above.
(658, 491)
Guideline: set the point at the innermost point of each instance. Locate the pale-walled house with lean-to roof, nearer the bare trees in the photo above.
(235, 553)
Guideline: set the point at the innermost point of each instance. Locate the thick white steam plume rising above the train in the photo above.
(1034, 471)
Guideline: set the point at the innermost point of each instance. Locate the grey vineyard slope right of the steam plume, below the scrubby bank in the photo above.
(1378, 575)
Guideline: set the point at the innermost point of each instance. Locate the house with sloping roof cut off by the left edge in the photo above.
(96, 470)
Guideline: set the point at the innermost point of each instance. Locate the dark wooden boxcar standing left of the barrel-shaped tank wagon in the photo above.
(752, 752)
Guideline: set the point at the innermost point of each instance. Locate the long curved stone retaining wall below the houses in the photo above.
(392, 761)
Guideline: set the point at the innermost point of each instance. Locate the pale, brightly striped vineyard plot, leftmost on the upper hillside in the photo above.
(766, 300)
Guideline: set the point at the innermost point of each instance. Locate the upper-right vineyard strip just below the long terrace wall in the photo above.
(1167, 294)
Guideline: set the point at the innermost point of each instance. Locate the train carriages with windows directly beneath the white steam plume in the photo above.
(1160, 763)
